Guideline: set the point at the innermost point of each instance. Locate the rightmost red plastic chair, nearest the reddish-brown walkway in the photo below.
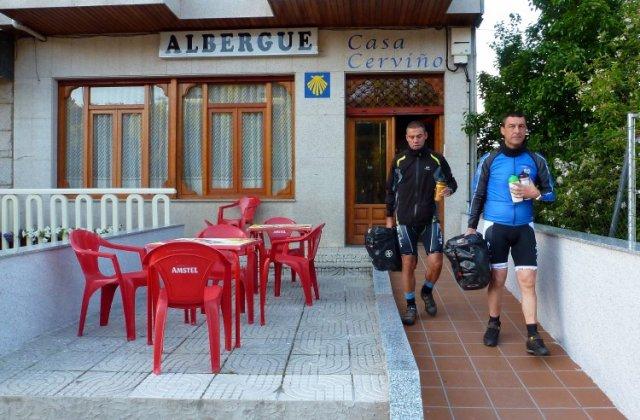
(303, 265)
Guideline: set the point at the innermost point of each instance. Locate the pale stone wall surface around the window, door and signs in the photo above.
(319, 123)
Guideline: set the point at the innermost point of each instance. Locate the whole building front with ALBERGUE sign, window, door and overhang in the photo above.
(304, 112)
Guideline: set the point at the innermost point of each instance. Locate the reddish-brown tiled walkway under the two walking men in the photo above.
(463, 379)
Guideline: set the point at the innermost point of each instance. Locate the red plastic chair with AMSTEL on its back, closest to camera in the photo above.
(186, 270)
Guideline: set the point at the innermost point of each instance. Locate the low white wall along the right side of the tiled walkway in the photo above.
(588, 288)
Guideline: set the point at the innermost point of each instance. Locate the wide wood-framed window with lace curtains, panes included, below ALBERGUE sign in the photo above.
(208, 140)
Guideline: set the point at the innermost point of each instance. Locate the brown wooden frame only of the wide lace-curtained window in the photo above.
(175, 89)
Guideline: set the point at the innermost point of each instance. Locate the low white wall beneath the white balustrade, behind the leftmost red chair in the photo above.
(41, 289)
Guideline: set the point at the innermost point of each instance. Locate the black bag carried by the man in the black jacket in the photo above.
(382, 246)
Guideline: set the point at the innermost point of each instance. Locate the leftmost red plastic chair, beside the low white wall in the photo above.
(86, 246)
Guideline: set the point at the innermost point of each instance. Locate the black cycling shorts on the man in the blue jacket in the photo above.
(520, 239)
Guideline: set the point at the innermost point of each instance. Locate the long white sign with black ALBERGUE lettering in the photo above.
(236, 43)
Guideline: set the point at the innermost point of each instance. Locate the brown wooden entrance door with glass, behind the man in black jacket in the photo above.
(372, 142)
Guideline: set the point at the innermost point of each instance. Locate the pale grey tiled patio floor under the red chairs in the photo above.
(329, 352)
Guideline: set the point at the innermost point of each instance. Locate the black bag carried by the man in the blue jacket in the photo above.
(469, 257)
